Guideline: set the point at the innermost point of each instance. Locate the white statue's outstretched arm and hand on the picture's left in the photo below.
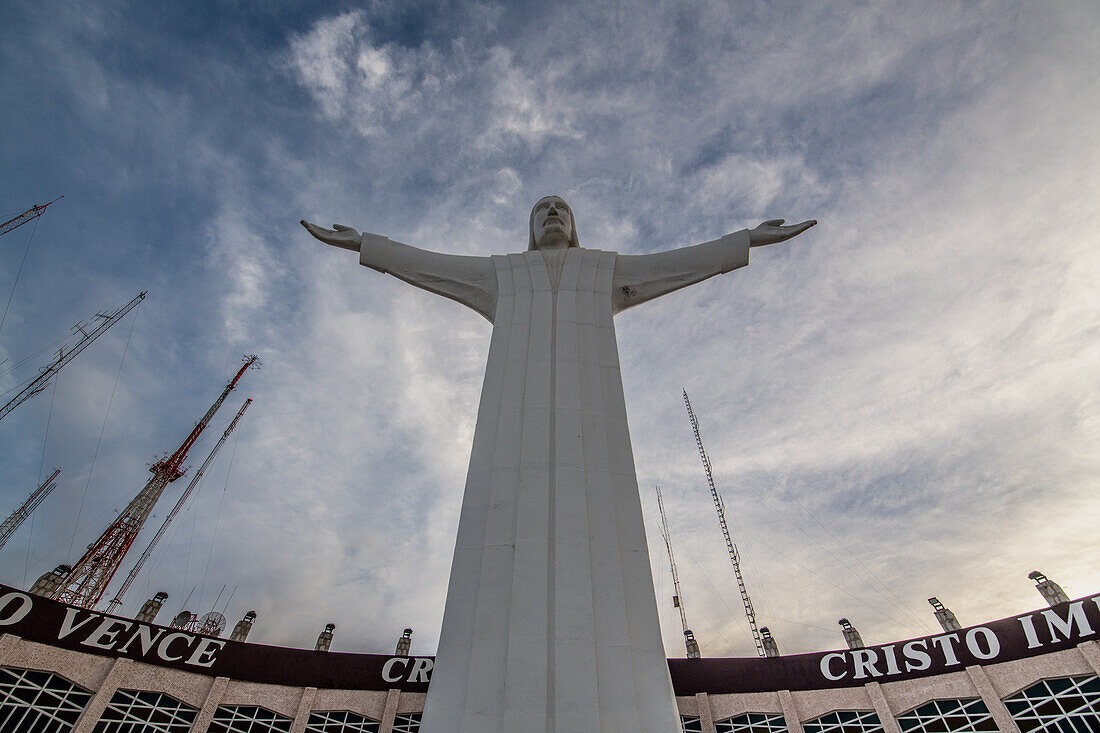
(469, 280)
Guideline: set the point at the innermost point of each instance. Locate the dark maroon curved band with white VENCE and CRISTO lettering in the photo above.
(49, 622)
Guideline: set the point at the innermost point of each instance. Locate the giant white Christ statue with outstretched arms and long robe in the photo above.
(551, 622)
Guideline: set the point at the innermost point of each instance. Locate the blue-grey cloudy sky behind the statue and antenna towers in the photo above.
(903, 402)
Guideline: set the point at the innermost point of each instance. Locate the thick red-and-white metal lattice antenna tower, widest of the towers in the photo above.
(89, 581)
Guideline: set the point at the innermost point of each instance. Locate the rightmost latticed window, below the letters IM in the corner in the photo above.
(1070, 705)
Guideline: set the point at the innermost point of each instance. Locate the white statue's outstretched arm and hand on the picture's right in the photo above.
(641, 278)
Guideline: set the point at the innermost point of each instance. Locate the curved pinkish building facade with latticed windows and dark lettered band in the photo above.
(65, 670)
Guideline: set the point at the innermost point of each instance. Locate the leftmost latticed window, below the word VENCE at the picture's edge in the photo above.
(39, 703)
